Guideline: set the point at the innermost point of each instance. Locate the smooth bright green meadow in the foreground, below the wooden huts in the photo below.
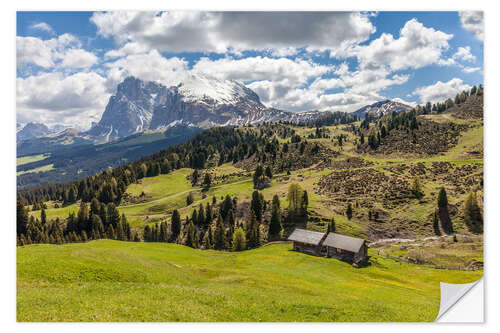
(121, 281)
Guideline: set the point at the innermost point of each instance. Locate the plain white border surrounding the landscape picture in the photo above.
(492, 140)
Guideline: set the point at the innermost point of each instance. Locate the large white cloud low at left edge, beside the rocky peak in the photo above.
(53, 98)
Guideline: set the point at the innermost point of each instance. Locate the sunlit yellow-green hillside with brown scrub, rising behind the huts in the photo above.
(375, 182)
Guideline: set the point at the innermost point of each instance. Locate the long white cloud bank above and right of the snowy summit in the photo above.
(284, 83)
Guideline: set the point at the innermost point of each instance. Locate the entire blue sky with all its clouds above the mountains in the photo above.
(69, 63)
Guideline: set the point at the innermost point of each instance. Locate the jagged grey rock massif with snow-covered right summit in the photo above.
(198, 101)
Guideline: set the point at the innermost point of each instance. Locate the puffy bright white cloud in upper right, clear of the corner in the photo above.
(416, 47)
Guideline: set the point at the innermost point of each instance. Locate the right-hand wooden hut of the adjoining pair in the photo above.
(345, 248)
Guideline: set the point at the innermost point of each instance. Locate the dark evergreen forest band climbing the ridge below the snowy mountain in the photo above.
(228, 144)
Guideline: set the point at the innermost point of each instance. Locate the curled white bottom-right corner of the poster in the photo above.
(461, 303)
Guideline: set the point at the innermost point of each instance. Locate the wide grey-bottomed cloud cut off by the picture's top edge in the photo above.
(180, 31)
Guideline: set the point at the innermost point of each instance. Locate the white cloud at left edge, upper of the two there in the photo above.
(64, 50)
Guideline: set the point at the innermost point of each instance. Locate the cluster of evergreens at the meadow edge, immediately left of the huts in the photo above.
(215, 226)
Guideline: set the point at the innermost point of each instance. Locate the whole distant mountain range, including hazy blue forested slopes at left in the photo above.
(143, 117)
